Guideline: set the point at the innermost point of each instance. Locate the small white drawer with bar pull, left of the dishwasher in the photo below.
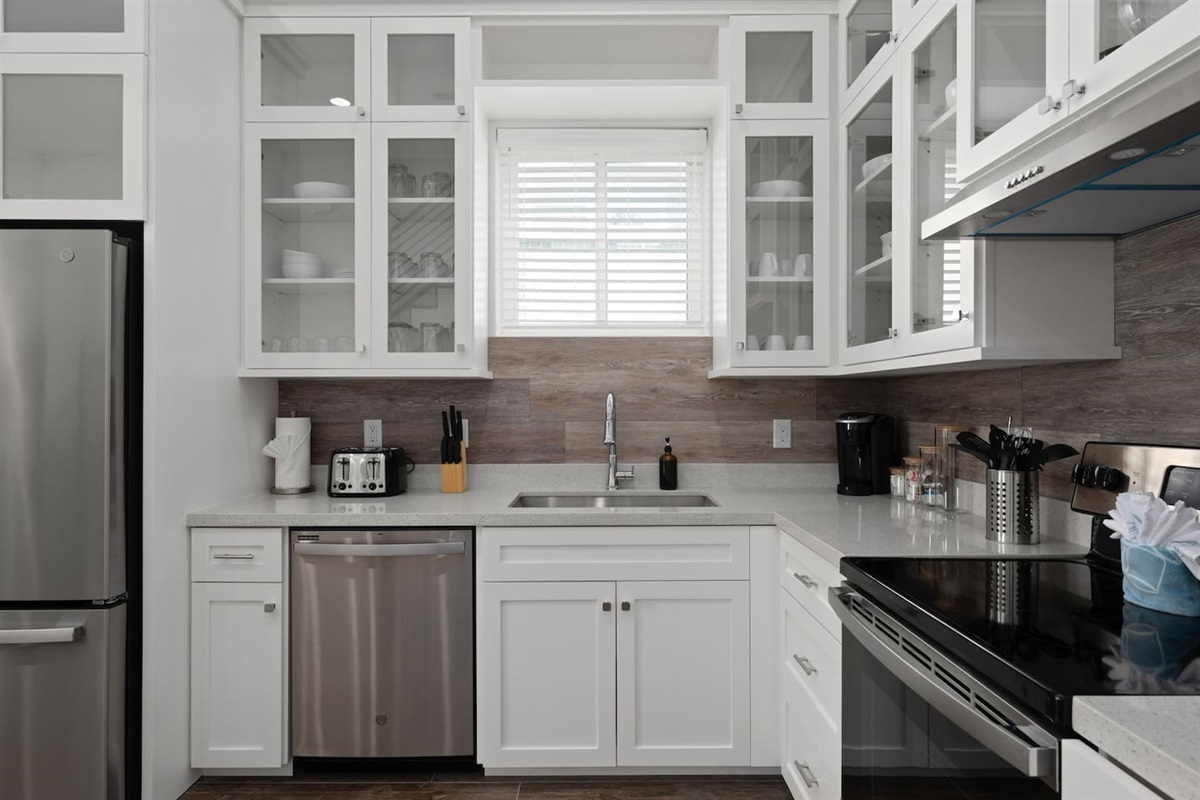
(238, 555)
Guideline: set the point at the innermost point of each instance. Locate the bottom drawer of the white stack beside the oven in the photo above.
(812, 749)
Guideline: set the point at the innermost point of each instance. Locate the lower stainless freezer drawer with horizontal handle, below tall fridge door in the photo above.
(63, 705)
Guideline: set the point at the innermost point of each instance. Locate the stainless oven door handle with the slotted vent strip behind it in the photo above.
(1022, 743)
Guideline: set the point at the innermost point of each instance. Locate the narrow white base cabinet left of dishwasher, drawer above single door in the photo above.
(239, 646)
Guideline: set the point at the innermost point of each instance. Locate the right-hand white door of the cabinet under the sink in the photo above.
(683, 673)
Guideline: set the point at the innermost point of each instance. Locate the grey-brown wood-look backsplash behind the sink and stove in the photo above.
(547, 401)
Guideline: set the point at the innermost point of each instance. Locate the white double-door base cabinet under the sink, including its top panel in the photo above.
(613, 672)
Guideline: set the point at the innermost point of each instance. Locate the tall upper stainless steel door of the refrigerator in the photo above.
(62, 458)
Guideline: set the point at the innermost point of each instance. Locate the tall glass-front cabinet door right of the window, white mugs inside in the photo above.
(779, 311)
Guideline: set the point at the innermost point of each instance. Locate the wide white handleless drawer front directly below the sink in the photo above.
(626, 554)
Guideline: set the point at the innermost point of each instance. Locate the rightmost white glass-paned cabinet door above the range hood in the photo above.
(1115, 43)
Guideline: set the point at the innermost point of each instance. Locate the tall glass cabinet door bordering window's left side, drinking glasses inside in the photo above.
(422, 303)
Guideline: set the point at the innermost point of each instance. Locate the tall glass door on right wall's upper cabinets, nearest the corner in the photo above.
(869, 221)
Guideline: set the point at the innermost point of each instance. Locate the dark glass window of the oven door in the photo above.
(897, 747)
